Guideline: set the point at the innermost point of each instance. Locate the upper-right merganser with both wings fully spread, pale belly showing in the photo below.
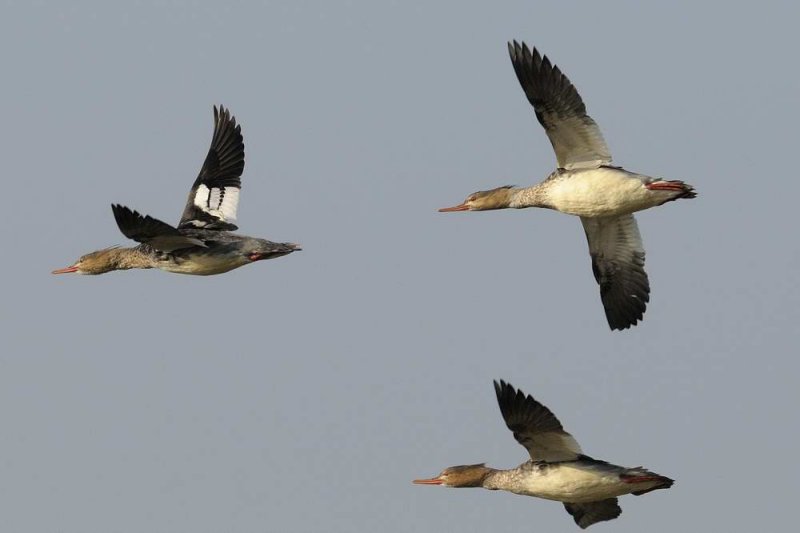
(586, 185)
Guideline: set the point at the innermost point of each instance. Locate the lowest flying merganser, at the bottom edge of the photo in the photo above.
(558, 470)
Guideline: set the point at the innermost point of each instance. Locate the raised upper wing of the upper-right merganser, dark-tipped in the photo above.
(575, 137)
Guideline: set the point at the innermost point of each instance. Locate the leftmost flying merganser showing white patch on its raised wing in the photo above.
(202, 244)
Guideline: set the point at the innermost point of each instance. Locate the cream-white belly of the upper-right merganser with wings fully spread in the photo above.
(602, 192)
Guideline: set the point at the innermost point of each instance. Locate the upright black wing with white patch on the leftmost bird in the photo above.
(214, 197)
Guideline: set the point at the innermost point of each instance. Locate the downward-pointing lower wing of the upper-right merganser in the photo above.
(615, 246)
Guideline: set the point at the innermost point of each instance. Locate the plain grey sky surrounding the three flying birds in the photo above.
(305, 393)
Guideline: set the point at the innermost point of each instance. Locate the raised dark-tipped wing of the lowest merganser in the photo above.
(534, 426)
